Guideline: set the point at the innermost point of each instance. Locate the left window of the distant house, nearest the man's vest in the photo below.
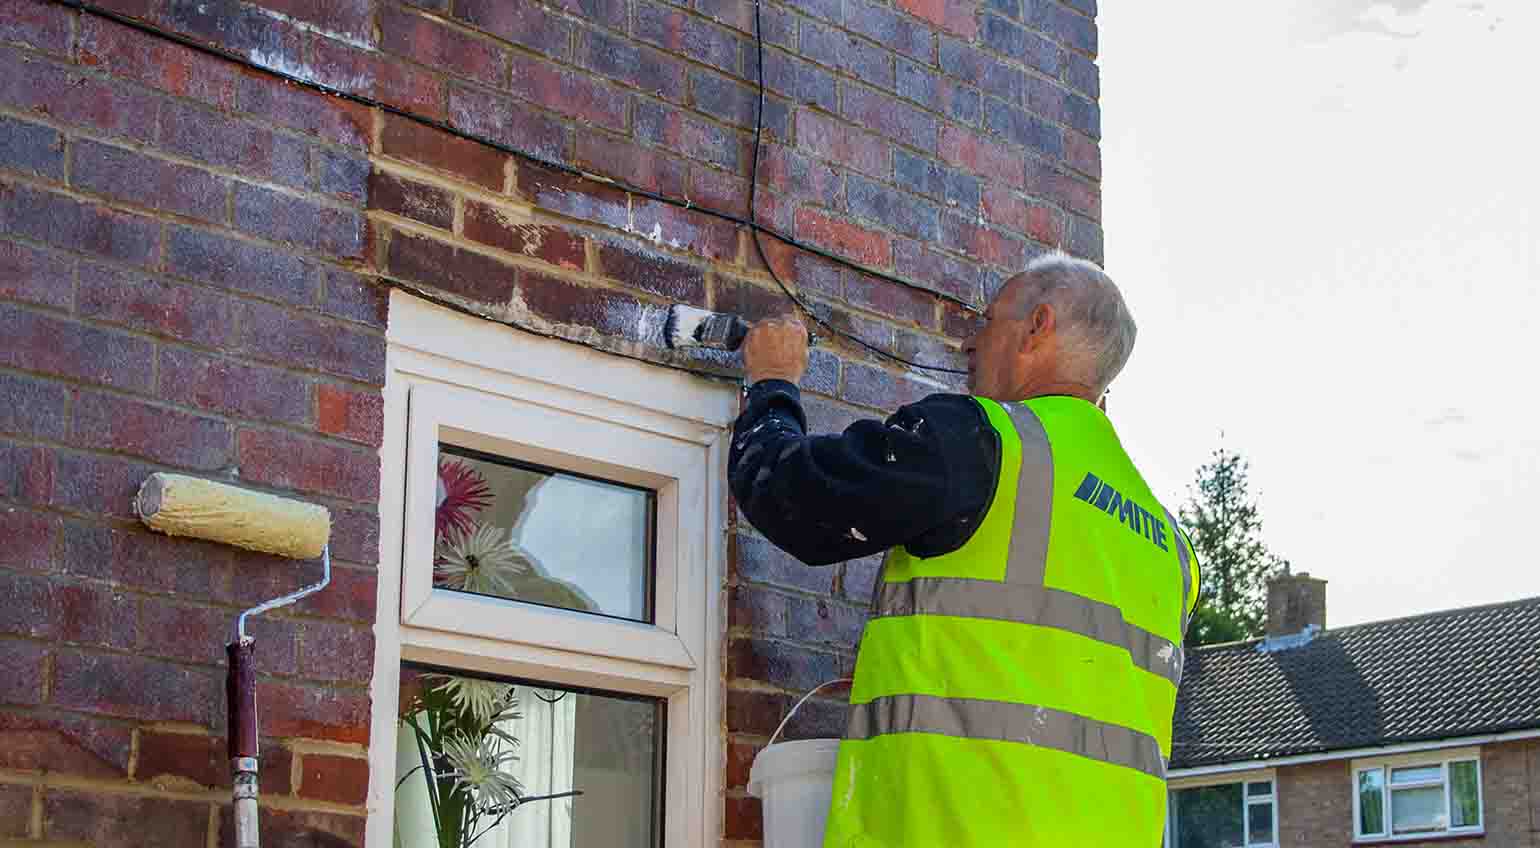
(1240, 813)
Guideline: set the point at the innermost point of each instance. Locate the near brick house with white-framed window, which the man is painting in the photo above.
(435, 307)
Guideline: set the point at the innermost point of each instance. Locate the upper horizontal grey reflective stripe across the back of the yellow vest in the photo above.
(1031, 606)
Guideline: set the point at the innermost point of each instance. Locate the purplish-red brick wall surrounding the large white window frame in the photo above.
(193, 262)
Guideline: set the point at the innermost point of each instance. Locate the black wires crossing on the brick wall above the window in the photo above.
(751, 222)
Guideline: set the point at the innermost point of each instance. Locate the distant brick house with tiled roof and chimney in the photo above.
(1411, 732)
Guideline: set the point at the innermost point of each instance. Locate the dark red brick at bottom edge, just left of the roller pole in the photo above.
(110, 820)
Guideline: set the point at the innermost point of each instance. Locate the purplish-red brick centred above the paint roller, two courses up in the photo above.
(238, 389)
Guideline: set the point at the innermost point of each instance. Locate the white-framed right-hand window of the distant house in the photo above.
(1416, 796)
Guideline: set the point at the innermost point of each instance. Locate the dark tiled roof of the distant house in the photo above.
(1436, 676)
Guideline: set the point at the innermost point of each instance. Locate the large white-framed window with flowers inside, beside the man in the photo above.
(547, 663)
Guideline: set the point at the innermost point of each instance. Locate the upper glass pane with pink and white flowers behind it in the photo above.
(527, 533)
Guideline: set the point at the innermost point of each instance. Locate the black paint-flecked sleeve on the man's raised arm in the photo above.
(923, 478)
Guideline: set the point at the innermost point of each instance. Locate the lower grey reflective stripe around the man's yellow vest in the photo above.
(1008, 723)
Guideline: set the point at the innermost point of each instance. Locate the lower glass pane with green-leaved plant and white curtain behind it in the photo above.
(518, 764)
